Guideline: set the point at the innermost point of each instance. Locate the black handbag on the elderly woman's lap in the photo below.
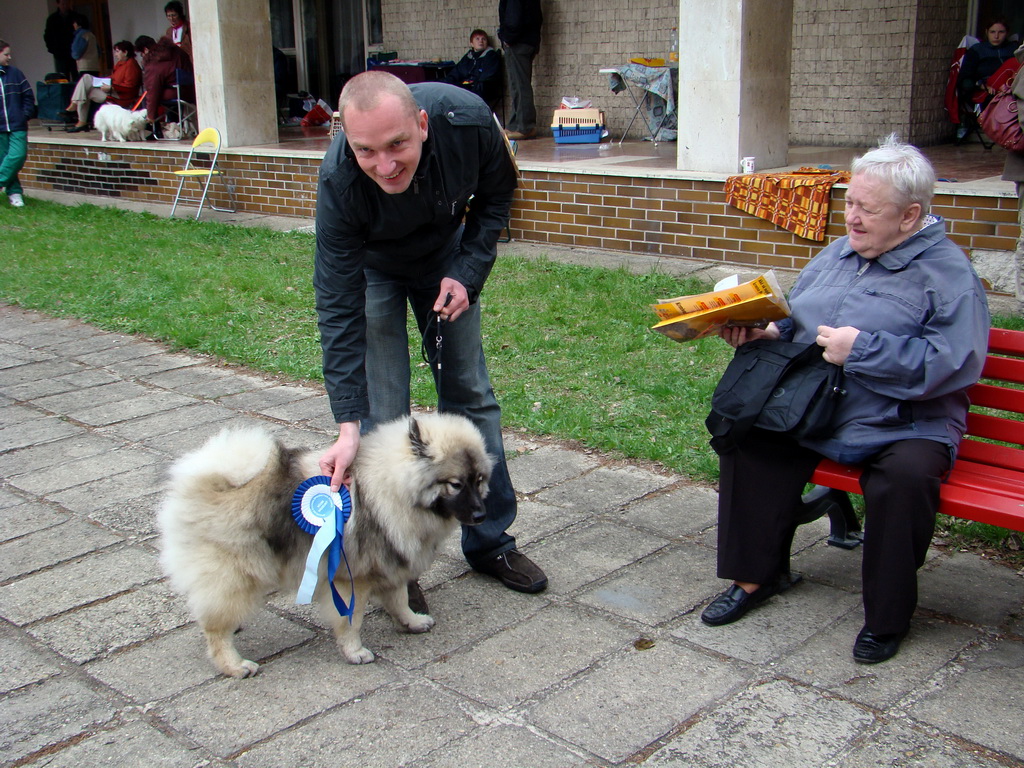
(776, 386)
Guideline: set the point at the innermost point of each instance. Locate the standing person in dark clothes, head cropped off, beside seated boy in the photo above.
(520, 31)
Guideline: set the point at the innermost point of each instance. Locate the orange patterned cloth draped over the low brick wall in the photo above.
(797, 201)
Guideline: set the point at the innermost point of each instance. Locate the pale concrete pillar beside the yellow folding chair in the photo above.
(234, 63)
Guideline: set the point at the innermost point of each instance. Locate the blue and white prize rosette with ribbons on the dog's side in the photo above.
(320, 511)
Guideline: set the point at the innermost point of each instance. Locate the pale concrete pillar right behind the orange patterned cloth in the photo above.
(735, 86)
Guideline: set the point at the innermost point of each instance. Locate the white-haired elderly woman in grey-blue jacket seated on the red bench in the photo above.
(898, 305)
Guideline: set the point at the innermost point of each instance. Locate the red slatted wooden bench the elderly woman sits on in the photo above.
(987, 483)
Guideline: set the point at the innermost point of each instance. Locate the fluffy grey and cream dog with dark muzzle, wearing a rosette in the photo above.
(229, 538)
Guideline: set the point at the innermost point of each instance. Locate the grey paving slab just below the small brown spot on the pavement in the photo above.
(644, 682)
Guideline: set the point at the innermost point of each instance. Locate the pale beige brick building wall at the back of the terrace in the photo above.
(862, 69)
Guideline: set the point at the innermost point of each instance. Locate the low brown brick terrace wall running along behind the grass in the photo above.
(671, 218)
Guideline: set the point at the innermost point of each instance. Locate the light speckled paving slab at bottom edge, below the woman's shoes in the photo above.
(797, 727)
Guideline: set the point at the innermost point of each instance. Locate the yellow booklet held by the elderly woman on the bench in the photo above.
(753, 305)
